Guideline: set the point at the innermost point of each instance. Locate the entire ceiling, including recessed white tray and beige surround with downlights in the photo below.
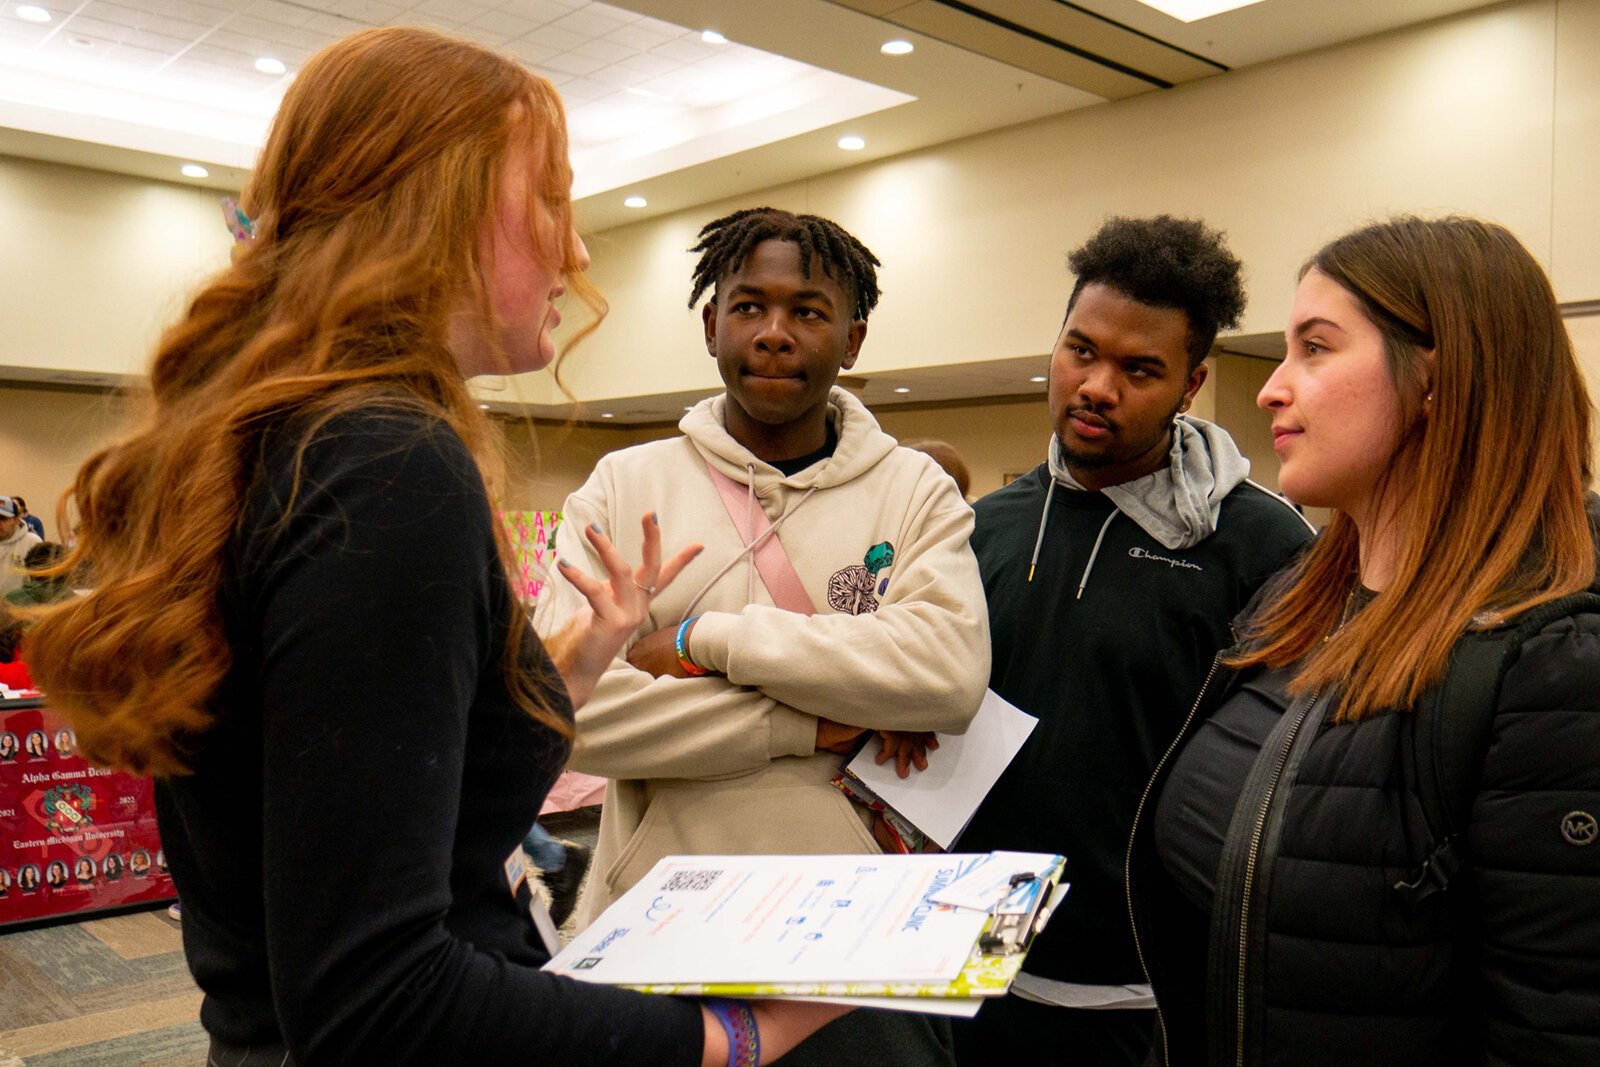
(655, 110)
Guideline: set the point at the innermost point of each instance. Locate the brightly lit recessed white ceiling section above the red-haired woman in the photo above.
(158, 71)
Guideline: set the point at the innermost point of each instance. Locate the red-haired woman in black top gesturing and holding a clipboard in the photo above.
(302, 618)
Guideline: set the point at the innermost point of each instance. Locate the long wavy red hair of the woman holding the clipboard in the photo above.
(370, 199)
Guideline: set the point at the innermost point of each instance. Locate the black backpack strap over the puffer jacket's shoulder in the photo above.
(1452, 730)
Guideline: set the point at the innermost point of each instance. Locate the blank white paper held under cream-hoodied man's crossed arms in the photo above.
(962, 770)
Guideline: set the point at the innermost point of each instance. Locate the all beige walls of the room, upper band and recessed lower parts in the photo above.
(1495, 113)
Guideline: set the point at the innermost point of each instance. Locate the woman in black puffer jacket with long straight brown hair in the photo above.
(1415, 705)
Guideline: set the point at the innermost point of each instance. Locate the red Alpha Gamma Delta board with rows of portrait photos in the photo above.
(73, 837)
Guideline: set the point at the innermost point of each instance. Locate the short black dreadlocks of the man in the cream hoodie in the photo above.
(727, 242)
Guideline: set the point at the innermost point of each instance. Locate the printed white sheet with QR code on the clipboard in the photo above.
(780, 919)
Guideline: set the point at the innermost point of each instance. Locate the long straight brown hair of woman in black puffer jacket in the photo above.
(1489, 487)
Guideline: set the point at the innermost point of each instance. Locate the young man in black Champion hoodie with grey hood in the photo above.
(1113, 572)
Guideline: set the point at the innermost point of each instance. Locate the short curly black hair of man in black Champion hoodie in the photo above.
(1167, 263)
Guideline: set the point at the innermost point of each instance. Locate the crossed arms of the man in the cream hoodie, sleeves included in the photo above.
(786, 684)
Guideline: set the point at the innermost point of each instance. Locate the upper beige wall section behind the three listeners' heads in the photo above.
(1495, 114)
